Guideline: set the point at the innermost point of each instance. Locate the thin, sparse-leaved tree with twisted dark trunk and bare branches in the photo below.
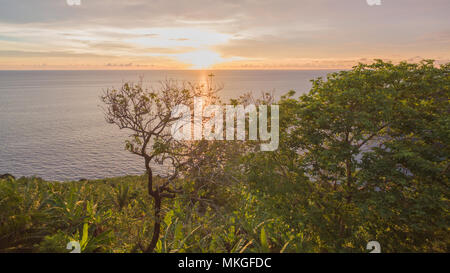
(147, 114)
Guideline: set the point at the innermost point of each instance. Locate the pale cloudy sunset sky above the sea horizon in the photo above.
(226, 34)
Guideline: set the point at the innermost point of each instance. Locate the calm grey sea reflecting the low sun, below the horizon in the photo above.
(52, 126)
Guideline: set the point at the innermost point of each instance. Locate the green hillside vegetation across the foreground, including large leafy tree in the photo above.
(363, 156)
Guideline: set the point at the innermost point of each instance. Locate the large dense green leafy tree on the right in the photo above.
(364, 157)
